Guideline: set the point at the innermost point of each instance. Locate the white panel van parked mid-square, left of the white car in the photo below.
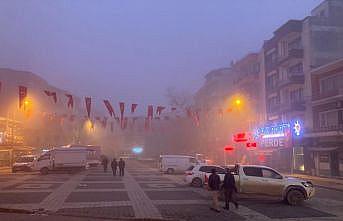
(176, 163)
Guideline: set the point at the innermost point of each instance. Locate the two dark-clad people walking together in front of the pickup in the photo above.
(228, 187)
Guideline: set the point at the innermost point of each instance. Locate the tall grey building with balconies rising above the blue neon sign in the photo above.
(296, 48)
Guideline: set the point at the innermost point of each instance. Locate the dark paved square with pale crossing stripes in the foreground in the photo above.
(142, 193)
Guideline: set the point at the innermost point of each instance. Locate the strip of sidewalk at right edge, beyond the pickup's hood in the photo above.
(329, 183)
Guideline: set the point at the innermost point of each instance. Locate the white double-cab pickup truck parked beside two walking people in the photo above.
(260, 180)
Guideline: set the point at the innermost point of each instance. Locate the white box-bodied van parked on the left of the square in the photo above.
(62, 158)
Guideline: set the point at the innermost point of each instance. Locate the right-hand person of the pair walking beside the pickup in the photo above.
(230, 190)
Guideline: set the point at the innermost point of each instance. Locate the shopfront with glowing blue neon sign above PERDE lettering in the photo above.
(280, 147)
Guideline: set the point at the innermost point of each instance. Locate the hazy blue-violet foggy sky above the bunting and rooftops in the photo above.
(133, 50)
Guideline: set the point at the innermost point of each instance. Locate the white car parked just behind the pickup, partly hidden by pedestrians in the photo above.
(197, 175)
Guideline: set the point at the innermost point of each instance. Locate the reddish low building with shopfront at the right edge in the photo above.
(325, 140)
